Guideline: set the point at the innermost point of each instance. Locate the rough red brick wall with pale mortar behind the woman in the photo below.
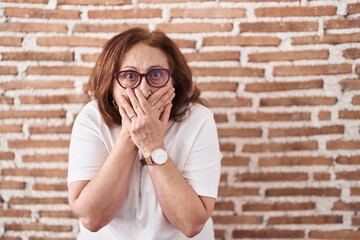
(281, 76)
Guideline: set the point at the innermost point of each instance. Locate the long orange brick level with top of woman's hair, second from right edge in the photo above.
(279, 27)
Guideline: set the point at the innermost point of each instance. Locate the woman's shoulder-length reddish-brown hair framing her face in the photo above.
(101, 80)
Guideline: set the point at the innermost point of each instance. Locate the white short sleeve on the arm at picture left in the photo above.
(87, 151)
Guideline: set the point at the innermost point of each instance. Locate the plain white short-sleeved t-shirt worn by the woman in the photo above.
(192, 145)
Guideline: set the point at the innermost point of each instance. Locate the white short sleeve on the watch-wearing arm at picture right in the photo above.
(202, 168)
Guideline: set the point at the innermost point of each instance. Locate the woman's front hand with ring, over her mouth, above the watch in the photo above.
(146, 129)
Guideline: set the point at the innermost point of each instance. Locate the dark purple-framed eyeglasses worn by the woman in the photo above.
(131, 79)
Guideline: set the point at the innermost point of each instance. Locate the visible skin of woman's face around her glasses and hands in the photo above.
(141, 58)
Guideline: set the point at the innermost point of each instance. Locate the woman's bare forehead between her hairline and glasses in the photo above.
(142, 56)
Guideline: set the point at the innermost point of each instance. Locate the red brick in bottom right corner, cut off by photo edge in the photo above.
(337, 234)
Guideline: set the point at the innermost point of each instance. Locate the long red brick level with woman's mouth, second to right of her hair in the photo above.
(297, 101)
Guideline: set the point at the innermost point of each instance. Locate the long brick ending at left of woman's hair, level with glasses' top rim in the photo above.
(61, 70)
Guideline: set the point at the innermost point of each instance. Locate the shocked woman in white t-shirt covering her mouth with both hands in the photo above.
(144, 158)
